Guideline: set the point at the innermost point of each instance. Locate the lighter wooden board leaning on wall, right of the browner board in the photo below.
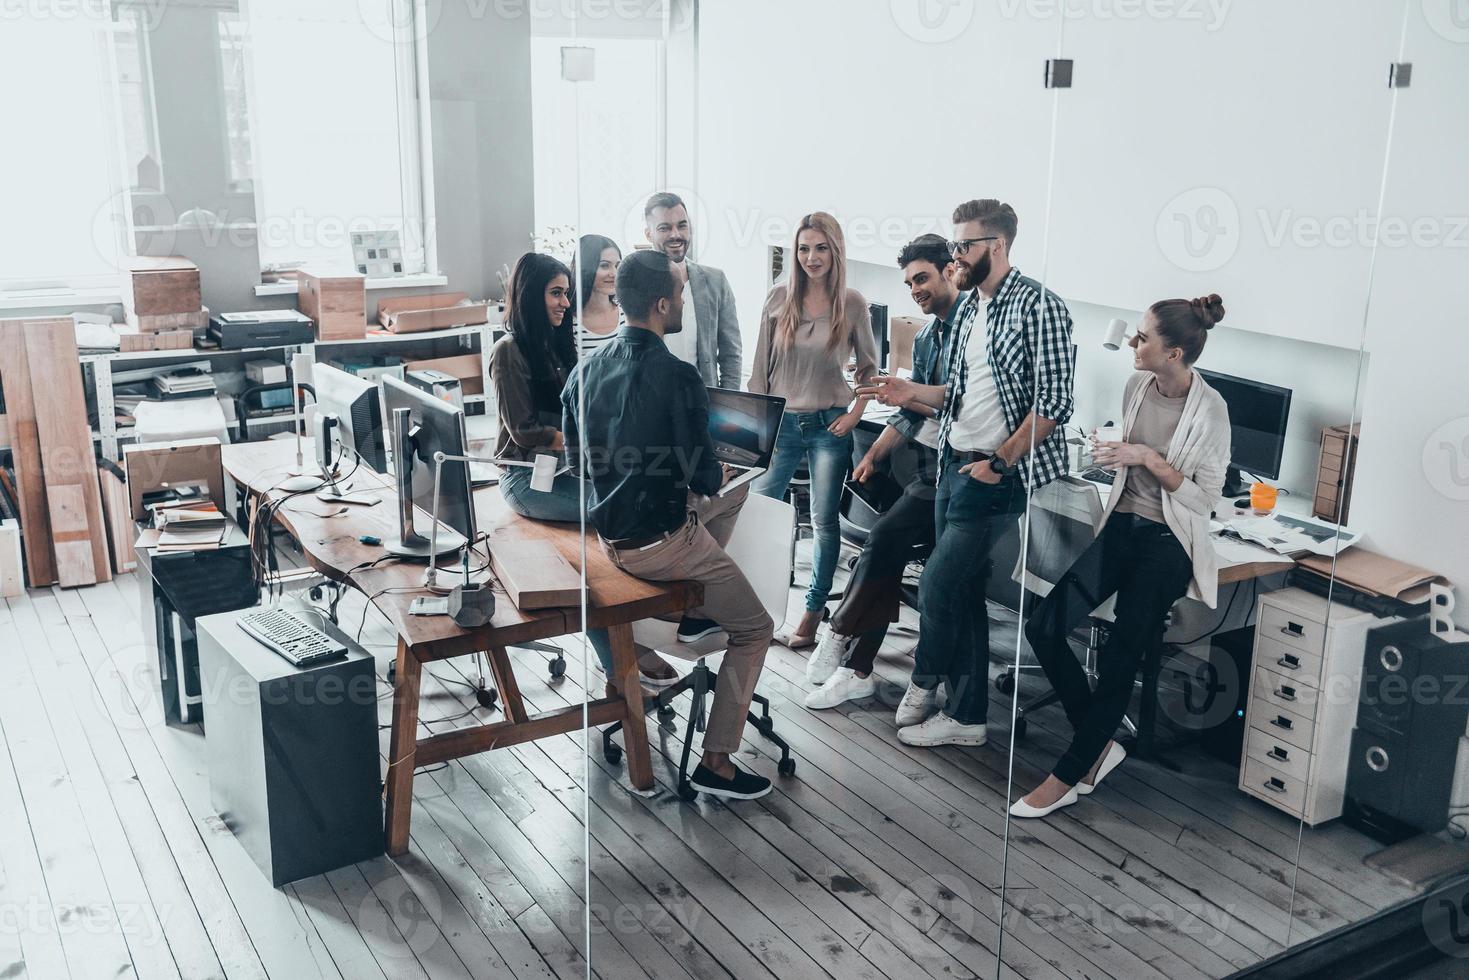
(68, 462)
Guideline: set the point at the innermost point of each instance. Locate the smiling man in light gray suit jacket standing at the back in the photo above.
(713, 345)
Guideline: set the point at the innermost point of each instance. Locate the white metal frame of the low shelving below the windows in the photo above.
(109, 434)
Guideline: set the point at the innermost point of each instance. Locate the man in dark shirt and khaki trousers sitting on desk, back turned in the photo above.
(638, 419)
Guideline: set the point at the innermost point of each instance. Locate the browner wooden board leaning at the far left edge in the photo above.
(26, 455)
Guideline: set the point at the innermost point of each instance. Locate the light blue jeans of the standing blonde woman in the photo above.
(804, 437)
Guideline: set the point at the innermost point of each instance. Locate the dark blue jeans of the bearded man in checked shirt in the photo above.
(954, 625)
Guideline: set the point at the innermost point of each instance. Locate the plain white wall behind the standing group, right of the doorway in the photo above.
(1280, 114)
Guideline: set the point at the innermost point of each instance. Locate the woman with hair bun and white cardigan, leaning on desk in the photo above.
(1152, 547)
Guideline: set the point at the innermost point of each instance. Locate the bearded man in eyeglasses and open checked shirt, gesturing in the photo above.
(1001, 417)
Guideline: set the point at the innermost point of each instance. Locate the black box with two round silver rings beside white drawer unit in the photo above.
(1411, 715)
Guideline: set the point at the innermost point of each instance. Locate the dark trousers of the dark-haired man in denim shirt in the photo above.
(875, 590)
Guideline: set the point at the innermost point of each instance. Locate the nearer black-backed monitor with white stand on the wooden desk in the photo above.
(430, 427)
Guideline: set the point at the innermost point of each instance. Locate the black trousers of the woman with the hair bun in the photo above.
(1149, 571)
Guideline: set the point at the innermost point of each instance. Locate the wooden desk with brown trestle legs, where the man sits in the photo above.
(616, 600)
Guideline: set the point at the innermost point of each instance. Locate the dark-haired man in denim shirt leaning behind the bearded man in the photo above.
(912, 437)
